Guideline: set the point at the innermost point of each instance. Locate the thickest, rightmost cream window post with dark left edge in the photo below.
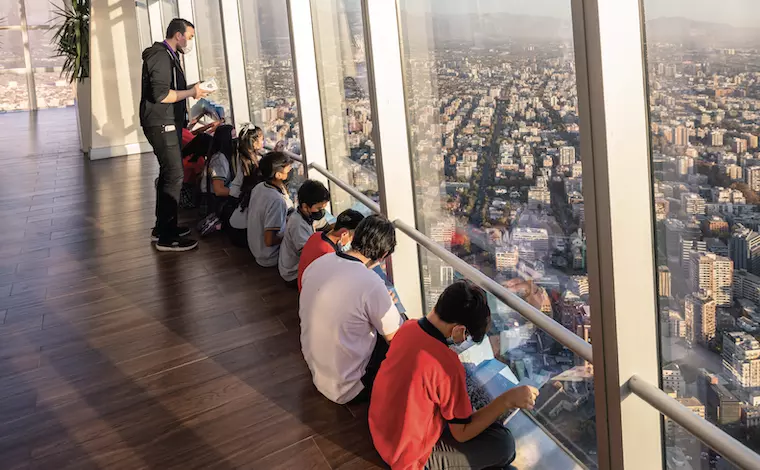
(618, 202)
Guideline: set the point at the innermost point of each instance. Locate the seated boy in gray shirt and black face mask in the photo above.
(313, 196)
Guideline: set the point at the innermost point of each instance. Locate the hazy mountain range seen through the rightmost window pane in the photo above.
(700, 33)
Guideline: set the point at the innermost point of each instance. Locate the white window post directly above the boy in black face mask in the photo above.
(307, 86)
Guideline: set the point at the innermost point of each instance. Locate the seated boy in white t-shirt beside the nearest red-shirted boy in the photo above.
(347, 316)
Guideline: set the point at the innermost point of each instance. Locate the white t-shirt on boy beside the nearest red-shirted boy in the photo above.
(343, 308)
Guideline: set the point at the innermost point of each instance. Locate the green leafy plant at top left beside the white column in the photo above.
(72, 38)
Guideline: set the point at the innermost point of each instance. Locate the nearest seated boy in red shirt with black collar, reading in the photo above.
(420, 415)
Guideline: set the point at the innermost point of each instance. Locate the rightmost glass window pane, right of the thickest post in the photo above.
(703, 63)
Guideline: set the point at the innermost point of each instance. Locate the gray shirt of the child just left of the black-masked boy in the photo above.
(268, 209)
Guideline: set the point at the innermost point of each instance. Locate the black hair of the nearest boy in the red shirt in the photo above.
(466, 304)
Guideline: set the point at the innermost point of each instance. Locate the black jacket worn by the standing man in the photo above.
(161, 72)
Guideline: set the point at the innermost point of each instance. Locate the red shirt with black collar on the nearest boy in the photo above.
(420, 387)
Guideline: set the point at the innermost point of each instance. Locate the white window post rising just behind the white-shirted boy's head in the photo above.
(394, 170)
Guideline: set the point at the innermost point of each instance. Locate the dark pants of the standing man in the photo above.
(166, 146)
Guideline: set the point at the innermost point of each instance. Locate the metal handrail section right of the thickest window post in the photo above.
(715, 438)
